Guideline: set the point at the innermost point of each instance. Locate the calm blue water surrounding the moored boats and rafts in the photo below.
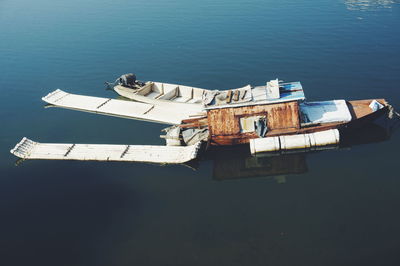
(338, 207)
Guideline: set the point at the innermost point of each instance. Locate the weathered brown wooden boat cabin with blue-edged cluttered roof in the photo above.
(272, 108)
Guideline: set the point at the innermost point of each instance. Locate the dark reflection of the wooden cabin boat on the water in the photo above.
(237, 162)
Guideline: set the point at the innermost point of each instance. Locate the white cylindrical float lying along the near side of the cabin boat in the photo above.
(299, 141)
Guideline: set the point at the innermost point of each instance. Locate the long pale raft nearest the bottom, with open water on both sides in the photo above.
(28, 149)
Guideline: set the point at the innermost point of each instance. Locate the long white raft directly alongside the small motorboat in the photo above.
(118, 108)
